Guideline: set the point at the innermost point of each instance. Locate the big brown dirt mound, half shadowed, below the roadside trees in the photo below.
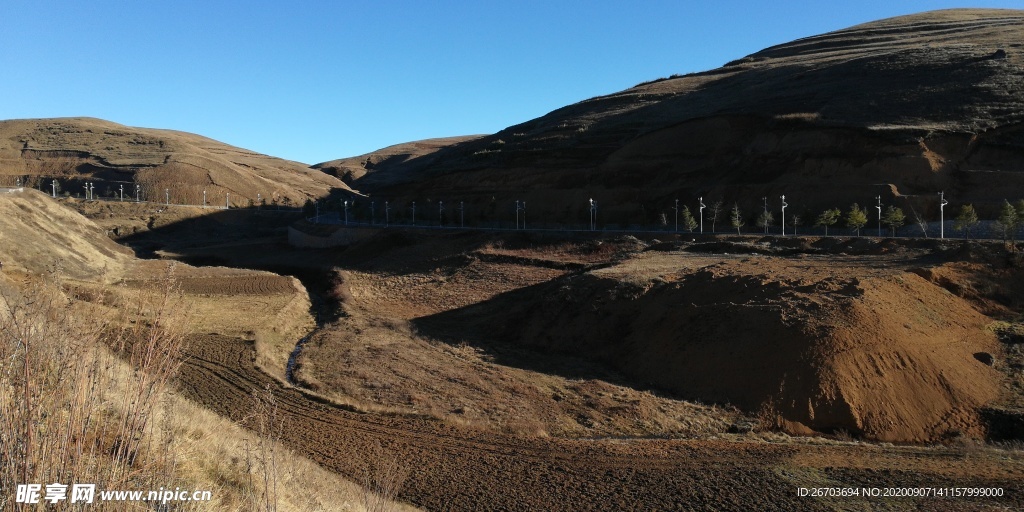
(888, 355)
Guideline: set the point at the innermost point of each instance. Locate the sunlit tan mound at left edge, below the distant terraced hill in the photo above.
(40, 236)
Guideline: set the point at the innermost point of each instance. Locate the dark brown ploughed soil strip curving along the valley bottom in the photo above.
(463, 470)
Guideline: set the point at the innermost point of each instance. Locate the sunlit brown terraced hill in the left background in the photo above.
(81, 149)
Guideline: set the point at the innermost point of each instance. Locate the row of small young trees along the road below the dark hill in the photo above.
(1010, 221)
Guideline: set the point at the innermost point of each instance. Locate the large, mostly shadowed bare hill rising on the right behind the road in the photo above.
(901, 108)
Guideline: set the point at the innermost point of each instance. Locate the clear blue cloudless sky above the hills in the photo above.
(316, 81)
